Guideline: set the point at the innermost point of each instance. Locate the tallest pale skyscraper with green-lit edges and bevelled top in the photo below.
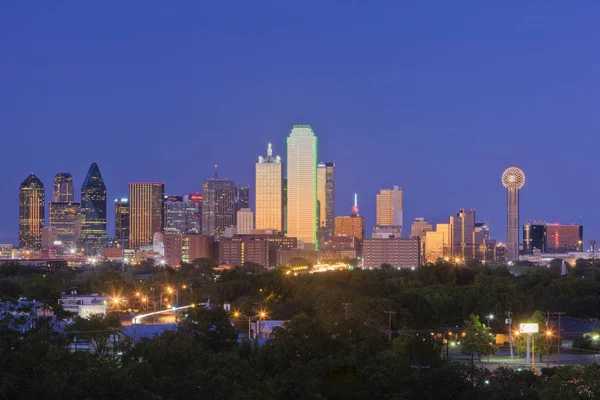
(302, 218)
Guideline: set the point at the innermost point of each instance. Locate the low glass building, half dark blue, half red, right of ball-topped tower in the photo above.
(551, 238)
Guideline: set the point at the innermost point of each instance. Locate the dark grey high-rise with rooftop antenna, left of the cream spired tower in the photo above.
(218, 205)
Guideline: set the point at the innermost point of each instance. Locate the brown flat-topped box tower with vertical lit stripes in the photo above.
(145, 212)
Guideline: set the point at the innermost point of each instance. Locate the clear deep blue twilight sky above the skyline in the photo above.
(439, 97)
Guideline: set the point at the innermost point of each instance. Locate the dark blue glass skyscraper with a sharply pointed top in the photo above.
(93, 236)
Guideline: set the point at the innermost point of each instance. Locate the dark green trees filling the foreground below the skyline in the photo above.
(335, 345)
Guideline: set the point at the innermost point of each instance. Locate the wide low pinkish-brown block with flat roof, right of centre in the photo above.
(397, 252)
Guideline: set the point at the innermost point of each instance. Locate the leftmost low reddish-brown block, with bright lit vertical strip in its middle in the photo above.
(186, 248)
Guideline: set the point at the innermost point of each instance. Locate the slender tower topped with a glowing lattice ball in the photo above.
(513, 179)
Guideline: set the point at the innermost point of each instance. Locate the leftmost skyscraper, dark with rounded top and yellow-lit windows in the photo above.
(31, 213)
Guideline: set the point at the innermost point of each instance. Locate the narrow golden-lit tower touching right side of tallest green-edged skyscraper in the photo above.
(325, 196)
